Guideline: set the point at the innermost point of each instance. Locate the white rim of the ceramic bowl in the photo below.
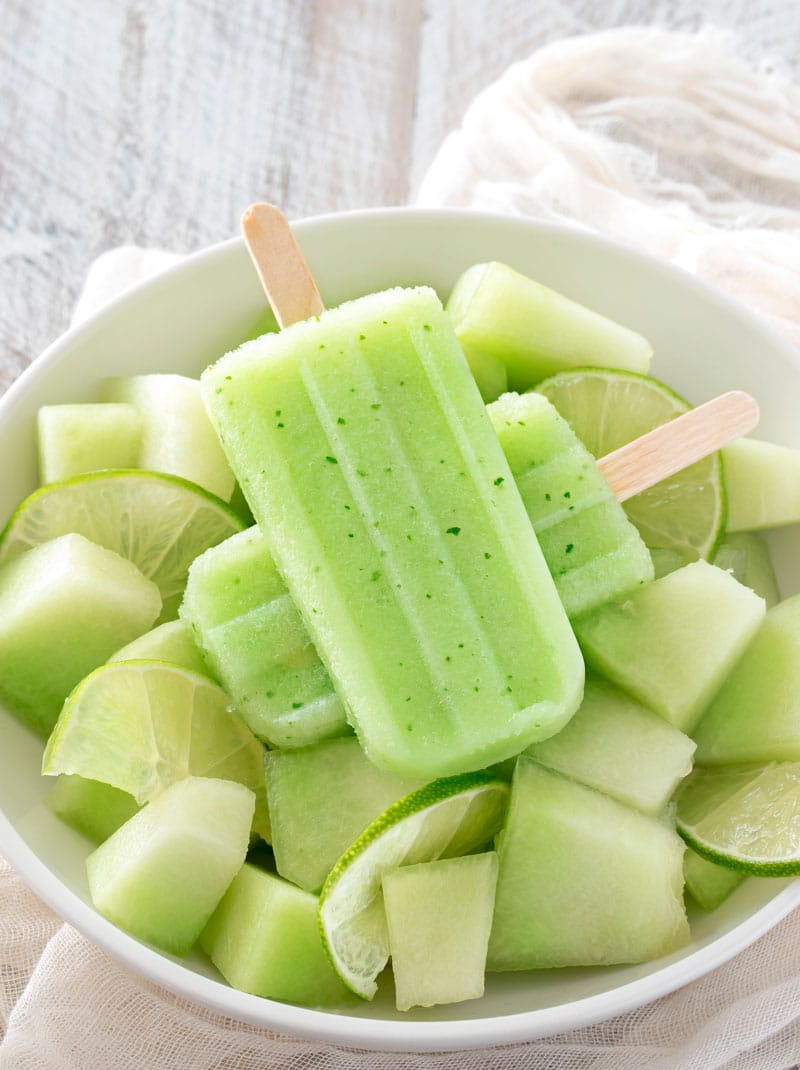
(330, 1027)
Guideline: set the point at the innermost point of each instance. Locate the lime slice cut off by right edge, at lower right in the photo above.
(745, 818)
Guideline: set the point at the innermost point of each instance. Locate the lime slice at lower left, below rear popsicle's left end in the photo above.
(142, 726)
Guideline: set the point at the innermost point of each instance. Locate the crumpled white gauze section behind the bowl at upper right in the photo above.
(661, 141)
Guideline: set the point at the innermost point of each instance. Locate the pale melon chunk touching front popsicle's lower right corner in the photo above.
(620, 747)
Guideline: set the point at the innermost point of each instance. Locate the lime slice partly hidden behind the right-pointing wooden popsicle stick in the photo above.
(685, 514)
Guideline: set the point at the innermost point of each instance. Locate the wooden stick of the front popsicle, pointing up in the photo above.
(281, 266)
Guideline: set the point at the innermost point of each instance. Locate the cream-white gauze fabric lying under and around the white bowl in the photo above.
(663, 141)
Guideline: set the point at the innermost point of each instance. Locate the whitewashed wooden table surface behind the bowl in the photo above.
(156, 121)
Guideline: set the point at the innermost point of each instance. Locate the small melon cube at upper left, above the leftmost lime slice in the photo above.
(75, 439)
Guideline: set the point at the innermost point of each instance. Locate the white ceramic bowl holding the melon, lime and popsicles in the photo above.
(191, 315)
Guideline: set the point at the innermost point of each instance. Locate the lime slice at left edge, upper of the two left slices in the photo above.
(161, 523)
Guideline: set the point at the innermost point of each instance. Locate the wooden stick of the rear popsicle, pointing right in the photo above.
(678, 445)
